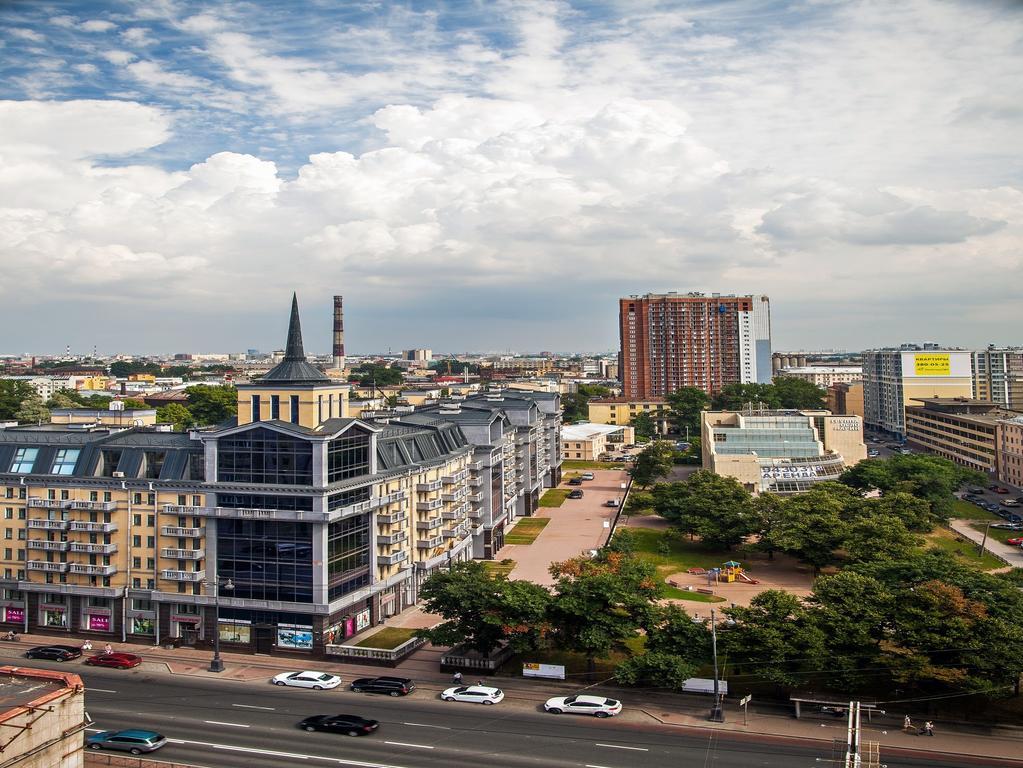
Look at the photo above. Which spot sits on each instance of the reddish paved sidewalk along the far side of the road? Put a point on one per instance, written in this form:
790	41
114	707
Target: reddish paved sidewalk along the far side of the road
1001	745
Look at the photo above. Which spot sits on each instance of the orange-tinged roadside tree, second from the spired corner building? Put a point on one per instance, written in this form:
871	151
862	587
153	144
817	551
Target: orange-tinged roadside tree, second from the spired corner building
601	603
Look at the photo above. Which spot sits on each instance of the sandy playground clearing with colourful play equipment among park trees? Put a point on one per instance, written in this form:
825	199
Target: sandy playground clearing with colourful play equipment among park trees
739	584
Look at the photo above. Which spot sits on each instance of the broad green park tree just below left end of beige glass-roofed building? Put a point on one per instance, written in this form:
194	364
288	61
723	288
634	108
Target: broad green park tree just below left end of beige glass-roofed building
715	508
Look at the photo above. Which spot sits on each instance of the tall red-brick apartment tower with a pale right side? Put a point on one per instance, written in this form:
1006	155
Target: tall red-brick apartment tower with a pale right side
671	341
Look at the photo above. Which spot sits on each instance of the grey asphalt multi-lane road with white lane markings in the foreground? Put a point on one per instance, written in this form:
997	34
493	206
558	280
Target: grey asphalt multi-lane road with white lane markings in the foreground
231	725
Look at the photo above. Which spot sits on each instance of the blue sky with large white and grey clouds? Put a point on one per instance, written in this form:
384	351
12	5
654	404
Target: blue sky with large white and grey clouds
495	175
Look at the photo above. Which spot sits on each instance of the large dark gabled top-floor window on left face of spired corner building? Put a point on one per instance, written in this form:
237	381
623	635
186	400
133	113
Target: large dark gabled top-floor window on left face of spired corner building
265	457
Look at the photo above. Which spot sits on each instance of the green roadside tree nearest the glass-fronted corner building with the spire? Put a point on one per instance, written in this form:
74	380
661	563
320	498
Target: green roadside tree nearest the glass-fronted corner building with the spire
483	611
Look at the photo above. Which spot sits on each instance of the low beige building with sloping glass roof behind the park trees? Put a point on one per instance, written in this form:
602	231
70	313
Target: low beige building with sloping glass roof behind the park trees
783	453
